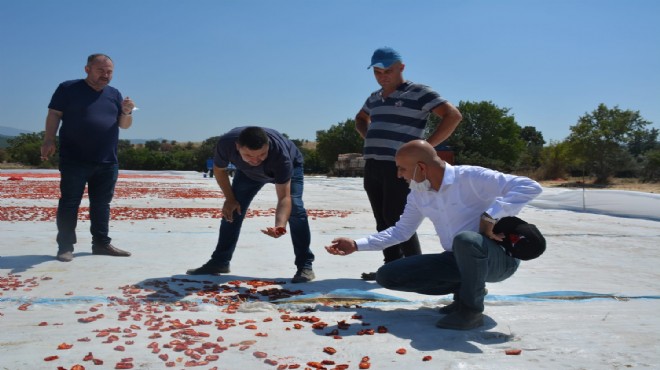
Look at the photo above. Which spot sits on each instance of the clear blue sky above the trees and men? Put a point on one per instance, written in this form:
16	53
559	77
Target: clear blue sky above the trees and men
199	68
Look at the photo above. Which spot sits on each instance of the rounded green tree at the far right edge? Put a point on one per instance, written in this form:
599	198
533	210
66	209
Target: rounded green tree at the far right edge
600	140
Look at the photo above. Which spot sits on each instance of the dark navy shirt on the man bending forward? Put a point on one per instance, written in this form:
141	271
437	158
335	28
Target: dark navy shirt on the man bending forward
283	156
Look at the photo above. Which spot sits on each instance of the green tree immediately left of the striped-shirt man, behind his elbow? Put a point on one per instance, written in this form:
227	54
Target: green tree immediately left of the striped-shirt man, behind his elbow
340	138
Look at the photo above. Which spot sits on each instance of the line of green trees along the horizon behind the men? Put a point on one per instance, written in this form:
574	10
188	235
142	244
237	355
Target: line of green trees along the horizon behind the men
605	143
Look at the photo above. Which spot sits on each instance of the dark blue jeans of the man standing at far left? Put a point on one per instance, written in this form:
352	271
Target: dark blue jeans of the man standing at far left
100	179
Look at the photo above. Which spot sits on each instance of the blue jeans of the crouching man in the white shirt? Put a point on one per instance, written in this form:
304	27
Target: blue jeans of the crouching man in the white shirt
475	260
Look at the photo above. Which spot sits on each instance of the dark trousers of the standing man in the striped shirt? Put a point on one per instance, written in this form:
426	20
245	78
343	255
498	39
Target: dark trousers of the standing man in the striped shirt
387	194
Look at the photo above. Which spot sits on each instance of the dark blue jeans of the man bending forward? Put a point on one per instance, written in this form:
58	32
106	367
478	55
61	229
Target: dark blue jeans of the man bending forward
245	189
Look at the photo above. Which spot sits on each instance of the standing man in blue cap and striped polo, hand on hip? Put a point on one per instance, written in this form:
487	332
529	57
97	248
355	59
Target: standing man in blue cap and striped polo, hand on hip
396	114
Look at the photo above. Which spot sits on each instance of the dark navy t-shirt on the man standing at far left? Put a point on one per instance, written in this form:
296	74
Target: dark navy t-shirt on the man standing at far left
90	121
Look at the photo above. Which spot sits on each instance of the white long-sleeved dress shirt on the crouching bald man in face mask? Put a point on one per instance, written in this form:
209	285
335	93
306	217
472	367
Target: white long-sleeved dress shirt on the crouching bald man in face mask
465	193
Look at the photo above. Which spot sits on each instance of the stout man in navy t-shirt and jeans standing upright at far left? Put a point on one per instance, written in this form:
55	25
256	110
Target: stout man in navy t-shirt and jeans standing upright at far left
91	113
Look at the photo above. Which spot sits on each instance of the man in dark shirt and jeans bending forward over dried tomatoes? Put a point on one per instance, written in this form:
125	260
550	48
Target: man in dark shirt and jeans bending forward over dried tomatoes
261	156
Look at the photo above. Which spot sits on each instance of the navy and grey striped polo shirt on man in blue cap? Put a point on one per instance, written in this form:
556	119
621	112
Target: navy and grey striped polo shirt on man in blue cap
397	119
